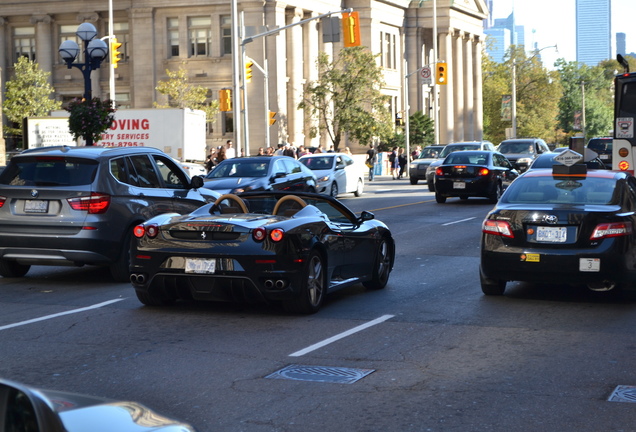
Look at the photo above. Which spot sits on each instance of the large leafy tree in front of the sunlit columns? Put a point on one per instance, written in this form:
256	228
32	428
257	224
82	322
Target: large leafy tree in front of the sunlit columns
347	98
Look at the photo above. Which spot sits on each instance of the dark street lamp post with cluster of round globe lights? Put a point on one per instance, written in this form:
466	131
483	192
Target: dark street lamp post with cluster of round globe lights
95	51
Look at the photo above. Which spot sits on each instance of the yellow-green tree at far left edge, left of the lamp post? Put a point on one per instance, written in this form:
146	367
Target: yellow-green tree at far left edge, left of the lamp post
28	94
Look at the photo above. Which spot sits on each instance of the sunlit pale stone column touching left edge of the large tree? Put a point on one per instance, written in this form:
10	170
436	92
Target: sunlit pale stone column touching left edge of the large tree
295	73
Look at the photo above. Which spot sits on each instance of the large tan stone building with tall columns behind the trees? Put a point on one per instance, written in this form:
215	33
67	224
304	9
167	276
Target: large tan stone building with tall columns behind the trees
162	35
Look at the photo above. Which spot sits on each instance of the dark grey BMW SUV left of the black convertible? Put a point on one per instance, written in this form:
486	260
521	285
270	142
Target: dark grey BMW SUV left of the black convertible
77	205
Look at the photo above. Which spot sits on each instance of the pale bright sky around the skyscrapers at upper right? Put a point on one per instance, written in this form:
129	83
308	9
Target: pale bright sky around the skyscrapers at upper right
553	22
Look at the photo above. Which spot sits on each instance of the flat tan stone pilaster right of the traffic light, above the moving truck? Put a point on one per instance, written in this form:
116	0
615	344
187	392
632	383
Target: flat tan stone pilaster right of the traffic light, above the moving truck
142	73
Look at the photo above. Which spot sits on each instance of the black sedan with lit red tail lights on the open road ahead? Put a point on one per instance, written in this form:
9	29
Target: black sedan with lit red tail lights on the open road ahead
473	174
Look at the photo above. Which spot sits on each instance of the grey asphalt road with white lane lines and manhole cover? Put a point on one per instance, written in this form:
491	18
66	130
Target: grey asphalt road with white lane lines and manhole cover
429	352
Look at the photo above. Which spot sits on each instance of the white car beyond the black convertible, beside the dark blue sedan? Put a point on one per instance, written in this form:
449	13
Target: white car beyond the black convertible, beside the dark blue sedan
336	173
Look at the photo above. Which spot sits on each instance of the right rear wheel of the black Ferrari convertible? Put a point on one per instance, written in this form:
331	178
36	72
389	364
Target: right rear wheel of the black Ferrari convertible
313	288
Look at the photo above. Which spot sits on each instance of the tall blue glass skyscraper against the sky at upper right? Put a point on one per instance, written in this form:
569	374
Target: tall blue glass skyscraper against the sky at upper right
593	31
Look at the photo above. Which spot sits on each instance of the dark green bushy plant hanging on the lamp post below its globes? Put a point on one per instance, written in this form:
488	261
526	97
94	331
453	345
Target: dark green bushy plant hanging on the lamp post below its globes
90	119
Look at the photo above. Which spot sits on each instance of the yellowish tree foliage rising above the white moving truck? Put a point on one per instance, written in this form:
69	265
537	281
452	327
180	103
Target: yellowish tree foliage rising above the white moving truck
182	94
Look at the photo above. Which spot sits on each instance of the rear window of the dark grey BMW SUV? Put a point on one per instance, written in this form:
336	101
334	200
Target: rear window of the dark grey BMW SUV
49	171
